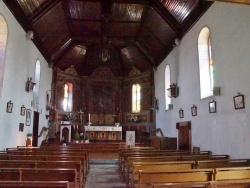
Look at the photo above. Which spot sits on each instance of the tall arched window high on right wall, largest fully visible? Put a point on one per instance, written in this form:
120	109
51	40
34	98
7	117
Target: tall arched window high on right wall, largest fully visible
205	64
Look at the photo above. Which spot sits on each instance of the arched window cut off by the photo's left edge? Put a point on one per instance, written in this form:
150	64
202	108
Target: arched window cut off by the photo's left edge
3	42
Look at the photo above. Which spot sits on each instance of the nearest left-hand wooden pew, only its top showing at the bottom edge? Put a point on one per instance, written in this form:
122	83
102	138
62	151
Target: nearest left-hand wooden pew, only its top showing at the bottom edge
34	184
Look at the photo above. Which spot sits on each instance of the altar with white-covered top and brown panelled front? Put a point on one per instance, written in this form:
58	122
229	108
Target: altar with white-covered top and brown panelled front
104	133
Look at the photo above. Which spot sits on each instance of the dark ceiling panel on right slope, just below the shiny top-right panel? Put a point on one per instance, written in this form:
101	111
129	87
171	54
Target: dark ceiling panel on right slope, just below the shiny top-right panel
159	28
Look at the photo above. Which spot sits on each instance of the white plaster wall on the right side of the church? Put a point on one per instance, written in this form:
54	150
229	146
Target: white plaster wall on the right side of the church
228	130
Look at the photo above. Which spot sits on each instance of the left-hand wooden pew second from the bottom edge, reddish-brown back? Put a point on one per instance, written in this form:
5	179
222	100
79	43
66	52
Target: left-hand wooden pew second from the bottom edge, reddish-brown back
38	174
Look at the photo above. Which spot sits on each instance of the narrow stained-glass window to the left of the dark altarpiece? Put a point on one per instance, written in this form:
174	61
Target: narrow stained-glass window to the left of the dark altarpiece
67	100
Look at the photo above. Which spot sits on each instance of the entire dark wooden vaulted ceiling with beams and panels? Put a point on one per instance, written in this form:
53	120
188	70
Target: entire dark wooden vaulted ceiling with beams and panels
138	33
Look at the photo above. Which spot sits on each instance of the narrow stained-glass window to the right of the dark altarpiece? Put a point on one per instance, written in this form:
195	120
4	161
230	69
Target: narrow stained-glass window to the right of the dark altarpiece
136	98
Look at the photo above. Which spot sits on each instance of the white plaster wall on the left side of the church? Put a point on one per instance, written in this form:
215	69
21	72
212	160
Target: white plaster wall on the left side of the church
21	55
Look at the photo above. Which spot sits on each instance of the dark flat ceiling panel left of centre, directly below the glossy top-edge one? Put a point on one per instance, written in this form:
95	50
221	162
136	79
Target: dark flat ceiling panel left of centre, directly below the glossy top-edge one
85	28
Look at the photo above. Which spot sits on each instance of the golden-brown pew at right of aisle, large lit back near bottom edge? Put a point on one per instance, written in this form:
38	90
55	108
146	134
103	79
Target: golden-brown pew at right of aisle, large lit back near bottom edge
193	175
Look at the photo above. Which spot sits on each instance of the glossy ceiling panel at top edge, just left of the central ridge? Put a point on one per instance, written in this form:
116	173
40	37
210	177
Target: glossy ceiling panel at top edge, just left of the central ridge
86	10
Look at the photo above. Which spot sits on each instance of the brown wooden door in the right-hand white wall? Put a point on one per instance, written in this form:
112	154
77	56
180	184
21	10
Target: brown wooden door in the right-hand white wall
184	135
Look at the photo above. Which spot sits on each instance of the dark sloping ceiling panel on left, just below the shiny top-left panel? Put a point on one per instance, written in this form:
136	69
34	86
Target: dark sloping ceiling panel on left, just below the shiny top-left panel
48	24
